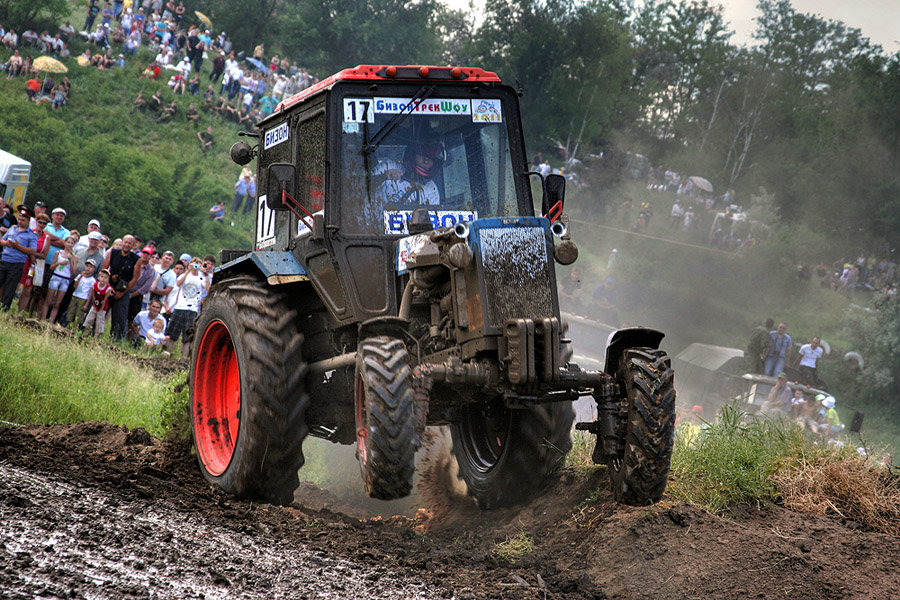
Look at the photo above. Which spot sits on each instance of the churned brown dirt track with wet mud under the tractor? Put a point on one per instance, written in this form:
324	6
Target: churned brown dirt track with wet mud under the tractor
94	511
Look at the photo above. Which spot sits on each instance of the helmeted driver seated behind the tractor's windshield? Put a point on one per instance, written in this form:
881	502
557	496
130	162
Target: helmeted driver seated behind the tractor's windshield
415	183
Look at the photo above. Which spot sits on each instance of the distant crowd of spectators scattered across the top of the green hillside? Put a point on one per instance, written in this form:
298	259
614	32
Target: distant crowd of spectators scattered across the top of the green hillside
238	87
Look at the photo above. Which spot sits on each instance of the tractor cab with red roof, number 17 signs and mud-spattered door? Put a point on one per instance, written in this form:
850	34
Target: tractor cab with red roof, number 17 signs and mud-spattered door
343	165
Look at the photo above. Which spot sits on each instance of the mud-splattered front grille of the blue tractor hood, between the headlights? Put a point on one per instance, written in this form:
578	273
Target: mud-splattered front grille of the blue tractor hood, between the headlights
517	276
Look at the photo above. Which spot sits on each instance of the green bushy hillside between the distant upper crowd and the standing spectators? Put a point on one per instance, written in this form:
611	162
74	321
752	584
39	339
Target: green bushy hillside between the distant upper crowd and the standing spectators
99	143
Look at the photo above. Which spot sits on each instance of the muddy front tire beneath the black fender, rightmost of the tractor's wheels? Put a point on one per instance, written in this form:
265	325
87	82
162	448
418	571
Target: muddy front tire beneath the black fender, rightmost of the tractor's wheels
638	474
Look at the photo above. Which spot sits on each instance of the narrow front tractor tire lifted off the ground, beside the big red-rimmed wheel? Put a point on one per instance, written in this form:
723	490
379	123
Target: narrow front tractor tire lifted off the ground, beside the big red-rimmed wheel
385	418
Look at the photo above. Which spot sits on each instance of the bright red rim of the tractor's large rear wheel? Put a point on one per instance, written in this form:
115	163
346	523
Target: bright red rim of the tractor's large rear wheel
217	398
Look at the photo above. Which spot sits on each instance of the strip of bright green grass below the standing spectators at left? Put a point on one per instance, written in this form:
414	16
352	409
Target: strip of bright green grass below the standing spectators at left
49	380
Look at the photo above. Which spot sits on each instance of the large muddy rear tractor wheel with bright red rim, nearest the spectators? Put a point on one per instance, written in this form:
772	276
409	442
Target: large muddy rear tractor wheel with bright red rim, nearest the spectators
248	399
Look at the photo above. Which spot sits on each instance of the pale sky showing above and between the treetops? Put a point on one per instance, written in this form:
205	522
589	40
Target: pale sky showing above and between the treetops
879	20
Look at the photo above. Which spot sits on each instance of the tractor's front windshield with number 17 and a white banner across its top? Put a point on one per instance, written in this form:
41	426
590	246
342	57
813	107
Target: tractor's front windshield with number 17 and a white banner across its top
450	155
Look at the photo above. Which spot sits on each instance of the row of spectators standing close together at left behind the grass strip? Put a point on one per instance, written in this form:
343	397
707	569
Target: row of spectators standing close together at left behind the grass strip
146	295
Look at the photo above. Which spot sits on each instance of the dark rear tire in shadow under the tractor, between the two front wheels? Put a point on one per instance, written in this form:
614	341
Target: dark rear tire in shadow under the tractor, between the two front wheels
505	456
